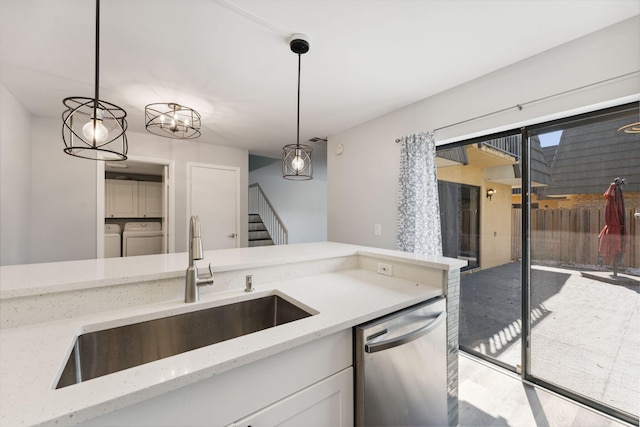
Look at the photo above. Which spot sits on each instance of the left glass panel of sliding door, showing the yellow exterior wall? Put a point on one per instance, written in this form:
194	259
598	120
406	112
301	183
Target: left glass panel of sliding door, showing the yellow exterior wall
475	189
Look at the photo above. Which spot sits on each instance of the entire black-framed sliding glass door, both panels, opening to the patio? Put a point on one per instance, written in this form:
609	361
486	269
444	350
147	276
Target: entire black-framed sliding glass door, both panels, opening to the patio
552	289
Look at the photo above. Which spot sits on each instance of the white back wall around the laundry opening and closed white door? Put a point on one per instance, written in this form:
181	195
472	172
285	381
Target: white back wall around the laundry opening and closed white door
62	191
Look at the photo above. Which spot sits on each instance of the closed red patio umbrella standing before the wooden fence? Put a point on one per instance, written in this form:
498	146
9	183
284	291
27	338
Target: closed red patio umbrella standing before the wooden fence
613	235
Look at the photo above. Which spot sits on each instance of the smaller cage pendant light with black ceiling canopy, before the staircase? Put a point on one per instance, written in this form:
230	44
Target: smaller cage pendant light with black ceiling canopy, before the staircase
296	158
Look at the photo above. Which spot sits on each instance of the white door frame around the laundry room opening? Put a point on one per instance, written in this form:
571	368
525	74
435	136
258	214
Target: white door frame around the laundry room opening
169	204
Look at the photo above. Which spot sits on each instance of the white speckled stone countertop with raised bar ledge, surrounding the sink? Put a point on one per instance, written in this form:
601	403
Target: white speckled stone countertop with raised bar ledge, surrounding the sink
32	357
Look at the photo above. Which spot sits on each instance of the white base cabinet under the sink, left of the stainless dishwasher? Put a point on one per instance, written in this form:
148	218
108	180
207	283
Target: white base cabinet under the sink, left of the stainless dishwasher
308	385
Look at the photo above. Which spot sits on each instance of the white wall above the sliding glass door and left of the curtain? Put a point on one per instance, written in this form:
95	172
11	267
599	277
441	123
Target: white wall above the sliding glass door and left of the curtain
362	182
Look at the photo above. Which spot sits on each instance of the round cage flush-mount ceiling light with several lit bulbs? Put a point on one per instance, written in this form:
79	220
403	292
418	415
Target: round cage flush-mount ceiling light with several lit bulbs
172	120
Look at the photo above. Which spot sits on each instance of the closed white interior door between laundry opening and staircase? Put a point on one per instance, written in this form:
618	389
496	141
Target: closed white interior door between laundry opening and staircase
215	197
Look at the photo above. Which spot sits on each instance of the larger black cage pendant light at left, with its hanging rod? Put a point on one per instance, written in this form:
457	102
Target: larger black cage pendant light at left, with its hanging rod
94	129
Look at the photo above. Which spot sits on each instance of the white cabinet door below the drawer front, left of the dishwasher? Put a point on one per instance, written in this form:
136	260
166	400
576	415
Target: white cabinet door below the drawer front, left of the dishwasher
326	403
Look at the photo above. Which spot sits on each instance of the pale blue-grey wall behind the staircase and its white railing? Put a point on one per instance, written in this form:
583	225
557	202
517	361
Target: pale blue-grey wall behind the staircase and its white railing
302	205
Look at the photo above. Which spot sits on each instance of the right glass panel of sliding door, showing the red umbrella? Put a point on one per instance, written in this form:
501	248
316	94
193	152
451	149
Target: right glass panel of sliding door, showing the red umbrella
585	262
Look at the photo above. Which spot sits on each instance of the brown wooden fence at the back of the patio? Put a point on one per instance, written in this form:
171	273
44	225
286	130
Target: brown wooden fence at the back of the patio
570	236
